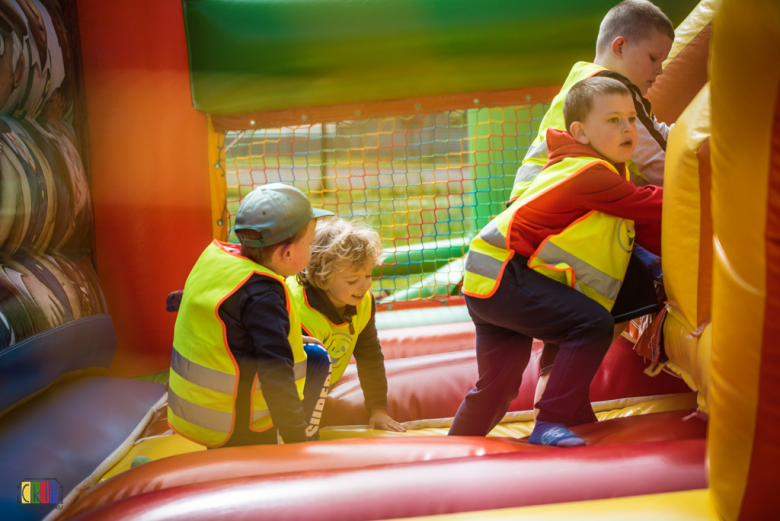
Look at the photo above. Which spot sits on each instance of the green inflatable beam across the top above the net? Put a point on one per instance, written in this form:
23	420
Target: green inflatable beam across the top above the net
261	55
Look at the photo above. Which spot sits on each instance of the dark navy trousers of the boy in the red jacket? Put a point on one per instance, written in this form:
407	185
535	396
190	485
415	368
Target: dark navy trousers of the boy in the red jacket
525	306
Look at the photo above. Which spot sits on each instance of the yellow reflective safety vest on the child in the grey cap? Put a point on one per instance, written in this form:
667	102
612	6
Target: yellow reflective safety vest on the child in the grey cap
204	374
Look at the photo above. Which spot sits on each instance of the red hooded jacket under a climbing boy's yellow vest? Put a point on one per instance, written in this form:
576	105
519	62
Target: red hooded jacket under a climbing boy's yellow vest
595	188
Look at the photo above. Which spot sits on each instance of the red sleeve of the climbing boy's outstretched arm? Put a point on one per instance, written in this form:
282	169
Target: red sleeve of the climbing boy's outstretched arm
598	188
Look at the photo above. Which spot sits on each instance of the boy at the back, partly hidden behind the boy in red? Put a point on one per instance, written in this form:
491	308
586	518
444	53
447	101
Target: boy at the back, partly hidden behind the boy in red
634	40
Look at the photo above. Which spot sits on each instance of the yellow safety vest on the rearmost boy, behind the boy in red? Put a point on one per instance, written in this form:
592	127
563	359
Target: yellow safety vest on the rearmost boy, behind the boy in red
537	154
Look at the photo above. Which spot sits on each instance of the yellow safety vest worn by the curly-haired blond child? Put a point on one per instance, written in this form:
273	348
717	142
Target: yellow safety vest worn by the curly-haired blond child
339	339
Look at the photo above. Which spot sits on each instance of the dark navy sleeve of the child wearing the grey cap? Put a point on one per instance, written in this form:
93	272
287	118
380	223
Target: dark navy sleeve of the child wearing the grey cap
266	320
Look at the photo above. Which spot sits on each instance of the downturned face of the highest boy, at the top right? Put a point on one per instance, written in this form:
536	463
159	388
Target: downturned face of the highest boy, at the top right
641	61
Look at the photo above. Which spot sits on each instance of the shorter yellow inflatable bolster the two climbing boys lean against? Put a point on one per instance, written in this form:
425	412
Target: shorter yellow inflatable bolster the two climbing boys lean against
687	246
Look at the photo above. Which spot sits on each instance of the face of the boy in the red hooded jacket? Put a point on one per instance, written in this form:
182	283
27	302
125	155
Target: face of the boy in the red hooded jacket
610	127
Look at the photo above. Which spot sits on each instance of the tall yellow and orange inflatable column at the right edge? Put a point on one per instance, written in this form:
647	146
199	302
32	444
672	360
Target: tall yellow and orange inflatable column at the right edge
744	437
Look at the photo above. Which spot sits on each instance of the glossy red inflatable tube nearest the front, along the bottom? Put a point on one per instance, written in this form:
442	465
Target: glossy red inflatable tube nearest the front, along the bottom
429	488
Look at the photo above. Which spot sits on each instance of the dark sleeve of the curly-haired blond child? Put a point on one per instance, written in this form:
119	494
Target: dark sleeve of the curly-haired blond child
371	365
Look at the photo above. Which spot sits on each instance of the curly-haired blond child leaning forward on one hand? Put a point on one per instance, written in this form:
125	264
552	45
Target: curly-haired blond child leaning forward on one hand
335	303
